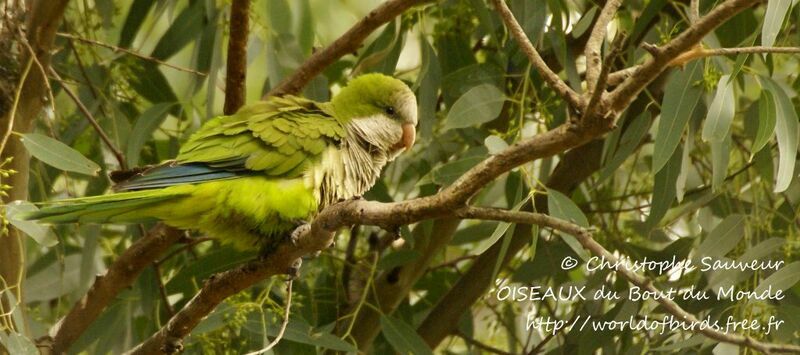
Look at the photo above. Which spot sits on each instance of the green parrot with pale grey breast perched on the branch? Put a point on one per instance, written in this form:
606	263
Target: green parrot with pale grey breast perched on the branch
251	178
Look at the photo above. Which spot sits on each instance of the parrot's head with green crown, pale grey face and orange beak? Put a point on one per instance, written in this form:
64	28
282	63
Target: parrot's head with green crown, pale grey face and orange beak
381	110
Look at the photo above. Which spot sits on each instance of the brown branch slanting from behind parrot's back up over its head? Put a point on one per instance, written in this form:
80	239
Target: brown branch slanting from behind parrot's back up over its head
349	42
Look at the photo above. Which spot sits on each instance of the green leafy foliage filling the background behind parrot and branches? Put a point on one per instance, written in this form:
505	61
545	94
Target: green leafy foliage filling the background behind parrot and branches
477	94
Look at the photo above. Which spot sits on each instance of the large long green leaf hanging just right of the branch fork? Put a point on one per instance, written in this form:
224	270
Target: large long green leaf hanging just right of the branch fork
680	99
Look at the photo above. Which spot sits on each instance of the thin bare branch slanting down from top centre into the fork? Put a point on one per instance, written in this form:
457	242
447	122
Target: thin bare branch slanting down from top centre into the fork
525	44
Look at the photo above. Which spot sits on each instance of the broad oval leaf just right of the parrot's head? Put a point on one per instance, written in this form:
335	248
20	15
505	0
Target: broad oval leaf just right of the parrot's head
479	105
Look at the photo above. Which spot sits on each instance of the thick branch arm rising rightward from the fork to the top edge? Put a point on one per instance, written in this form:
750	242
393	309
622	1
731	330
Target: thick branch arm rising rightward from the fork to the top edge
622	96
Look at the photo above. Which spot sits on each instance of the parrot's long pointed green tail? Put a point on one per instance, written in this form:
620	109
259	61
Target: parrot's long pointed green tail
125	207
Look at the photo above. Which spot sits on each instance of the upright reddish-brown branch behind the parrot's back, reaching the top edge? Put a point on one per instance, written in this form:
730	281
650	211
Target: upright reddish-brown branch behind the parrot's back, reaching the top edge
237	56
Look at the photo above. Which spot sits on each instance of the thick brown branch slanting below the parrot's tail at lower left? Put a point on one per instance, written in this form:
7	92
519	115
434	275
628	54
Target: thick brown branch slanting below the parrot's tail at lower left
119	276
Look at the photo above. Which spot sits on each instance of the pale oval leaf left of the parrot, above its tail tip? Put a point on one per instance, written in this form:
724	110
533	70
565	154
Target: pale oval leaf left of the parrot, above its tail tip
58	155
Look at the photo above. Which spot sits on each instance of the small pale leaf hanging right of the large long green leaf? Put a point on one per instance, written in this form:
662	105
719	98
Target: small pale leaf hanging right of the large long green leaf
720	112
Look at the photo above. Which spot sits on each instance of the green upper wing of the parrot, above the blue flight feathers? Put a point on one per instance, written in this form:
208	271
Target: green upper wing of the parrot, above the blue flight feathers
278	137
